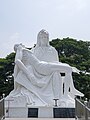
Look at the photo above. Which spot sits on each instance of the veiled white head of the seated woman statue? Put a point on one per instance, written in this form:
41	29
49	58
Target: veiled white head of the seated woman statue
43	38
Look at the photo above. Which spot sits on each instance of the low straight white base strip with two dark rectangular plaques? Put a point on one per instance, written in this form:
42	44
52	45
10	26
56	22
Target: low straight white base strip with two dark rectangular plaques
39	112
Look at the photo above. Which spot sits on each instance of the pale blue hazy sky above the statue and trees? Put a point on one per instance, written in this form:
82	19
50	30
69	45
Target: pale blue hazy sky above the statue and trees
21	20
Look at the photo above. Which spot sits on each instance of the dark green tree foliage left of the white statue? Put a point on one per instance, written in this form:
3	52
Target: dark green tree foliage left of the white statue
6	74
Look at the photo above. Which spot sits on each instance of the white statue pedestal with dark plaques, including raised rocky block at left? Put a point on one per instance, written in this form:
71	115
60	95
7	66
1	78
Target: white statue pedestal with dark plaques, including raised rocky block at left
17	108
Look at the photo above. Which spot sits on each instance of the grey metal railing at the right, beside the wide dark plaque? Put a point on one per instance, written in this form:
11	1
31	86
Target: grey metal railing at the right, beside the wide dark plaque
82	112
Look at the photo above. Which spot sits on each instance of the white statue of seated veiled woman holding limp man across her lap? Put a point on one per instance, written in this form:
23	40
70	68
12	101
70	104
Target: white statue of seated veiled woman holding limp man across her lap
37	74
